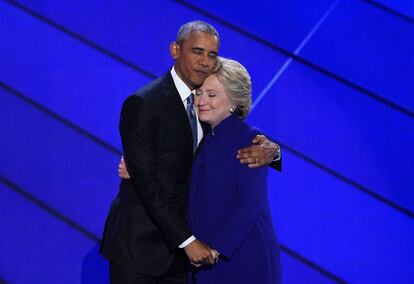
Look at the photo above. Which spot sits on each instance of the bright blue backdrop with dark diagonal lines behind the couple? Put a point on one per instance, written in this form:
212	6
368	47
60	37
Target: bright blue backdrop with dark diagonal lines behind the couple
333	83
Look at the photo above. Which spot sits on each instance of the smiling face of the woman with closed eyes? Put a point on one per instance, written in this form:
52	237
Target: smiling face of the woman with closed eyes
211	101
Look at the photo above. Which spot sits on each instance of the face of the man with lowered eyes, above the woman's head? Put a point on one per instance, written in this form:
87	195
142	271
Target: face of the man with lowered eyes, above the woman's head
195	58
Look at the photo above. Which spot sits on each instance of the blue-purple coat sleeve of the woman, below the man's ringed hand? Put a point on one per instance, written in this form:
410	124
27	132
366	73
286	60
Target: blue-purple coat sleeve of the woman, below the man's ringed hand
252	198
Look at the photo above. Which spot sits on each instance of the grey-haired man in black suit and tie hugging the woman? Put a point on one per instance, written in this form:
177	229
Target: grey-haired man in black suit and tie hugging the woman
146	238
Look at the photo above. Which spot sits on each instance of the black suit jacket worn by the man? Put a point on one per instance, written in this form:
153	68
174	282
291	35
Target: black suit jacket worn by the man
147	220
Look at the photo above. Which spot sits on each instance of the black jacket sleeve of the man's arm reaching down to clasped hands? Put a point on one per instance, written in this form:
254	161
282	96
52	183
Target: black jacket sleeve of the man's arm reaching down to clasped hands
139	128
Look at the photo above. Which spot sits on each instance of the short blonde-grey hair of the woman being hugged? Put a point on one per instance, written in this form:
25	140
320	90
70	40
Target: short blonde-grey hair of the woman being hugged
237	84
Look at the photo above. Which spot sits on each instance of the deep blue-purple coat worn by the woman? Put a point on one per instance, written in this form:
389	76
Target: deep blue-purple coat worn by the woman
229	210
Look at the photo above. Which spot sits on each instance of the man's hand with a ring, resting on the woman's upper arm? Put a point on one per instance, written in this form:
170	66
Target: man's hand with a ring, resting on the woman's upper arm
261	153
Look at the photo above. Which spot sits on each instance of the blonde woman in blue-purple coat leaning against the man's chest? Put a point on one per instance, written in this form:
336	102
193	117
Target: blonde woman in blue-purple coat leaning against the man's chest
228	203
